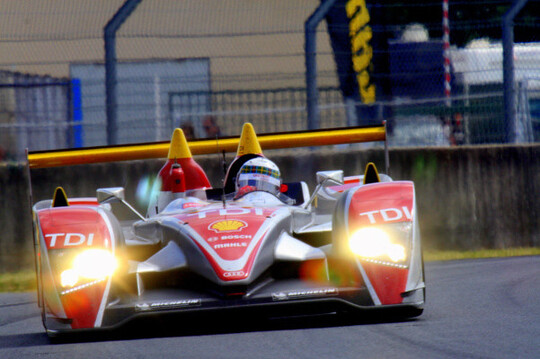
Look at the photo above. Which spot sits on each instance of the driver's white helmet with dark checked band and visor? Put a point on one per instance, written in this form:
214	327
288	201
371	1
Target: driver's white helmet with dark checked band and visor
259	174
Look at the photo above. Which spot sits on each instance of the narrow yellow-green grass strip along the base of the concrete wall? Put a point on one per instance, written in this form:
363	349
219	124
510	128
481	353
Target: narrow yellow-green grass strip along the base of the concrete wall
26	280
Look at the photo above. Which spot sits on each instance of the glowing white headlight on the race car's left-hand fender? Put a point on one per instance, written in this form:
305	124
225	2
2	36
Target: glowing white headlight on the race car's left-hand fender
90	265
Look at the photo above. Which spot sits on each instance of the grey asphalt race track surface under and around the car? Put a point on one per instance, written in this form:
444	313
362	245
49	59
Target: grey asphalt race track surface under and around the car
486	308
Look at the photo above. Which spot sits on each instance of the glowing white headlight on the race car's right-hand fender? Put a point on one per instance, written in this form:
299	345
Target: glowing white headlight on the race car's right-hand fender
375	243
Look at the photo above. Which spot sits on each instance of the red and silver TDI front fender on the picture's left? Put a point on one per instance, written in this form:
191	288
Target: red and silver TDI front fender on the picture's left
63	233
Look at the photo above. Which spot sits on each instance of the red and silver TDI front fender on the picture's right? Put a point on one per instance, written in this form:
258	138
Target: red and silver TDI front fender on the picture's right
390	208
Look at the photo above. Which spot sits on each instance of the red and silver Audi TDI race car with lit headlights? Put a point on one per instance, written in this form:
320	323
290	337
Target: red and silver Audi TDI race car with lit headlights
351	245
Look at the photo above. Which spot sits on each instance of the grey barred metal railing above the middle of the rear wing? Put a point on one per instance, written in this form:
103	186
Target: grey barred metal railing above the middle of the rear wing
270	110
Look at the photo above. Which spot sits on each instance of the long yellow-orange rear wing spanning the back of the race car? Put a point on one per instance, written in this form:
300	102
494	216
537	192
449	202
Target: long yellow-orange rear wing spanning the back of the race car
334	136
